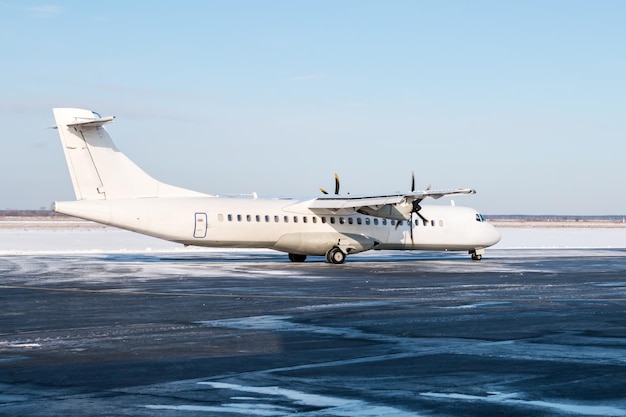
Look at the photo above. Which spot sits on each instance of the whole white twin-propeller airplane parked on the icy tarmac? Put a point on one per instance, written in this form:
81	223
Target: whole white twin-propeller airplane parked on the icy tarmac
112	190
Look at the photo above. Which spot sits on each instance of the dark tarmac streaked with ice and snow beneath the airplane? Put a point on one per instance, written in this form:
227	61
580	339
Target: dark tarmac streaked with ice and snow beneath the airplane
520	333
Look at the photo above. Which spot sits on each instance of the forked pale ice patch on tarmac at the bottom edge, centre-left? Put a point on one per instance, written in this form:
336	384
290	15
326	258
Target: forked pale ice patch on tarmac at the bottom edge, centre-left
299	403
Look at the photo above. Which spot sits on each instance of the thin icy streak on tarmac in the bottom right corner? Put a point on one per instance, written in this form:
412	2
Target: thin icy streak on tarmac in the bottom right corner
571	409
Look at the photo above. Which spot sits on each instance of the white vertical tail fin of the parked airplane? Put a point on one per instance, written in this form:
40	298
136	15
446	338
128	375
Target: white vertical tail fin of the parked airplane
98	169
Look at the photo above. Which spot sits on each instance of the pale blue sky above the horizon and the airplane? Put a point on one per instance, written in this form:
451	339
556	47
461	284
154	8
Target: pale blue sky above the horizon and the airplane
525	101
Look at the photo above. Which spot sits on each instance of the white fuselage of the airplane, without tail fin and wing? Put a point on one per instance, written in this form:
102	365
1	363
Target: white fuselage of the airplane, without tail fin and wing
251	223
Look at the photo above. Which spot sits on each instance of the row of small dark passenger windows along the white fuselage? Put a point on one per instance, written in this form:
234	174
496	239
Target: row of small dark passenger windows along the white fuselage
323	219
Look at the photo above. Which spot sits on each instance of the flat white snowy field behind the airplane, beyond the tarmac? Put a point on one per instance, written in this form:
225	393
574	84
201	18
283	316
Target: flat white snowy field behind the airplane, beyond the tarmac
28	237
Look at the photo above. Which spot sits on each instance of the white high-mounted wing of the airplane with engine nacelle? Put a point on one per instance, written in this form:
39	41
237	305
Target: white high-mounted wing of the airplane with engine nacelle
392	206
